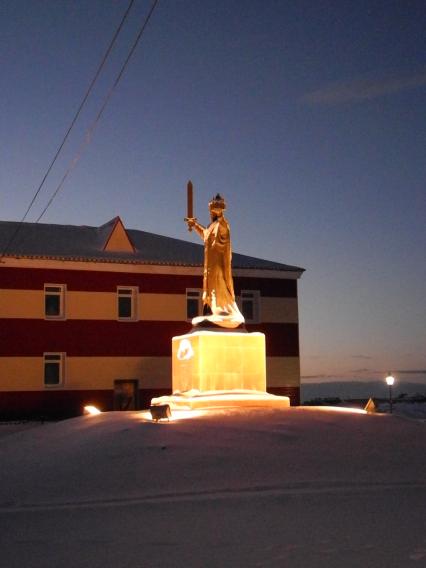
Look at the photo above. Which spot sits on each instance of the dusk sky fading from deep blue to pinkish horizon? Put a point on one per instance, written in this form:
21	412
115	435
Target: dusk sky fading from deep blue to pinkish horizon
309	117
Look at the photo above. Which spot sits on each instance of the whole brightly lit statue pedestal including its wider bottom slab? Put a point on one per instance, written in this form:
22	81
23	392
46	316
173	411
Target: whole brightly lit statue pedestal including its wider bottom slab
219	369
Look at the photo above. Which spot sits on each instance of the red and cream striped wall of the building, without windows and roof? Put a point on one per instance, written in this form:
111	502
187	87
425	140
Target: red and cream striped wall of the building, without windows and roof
99	348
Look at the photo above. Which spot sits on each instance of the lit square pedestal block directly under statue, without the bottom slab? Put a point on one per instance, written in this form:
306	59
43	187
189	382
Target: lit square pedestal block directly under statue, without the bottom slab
219	361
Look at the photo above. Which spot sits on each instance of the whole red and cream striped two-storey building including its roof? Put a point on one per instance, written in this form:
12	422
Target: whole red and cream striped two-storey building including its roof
87	315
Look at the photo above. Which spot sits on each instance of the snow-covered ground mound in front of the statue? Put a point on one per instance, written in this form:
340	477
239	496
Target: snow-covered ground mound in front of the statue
297	487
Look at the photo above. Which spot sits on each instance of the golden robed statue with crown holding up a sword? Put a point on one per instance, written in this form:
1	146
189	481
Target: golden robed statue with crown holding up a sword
219	306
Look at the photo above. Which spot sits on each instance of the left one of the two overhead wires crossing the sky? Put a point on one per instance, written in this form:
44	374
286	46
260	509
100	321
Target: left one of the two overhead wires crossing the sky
74	120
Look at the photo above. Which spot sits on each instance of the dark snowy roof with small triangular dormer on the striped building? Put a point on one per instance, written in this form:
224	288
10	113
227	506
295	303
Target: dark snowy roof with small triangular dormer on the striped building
111	242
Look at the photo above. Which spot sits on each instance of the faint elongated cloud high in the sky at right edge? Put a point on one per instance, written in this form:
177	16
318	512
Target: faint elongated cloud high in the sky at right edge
358	90
